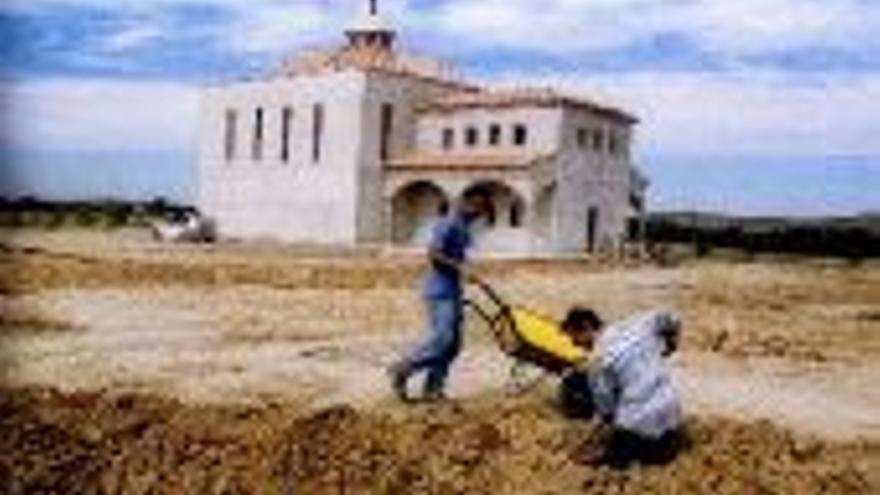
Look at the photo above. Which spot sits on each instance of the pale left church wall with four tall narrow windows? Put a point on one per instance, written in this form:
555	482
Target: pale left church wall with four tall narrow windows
296	200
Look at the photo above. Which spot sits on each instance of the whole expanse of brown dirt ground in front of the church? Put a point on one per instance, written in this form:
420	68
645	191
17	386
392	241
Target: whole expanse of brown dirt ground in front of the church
258	368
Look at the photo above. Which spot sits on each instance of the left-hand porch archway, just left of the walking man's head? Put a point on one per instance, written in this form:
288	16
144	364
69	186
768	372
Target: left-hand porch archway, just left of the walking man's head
414	207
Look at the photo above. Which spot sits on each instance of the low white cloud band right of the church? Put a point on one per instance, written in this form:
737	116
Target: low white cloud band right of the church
739	113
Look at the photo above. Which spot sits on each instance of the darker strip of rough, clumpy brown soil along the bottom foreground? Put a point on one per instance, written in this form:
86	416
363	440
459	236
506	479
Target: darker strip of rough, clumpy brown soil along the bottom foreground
98	443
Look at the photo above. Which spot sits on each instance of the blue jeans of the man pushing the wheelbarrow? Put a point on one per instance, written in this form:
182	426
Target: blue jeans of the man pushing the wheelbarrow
442	345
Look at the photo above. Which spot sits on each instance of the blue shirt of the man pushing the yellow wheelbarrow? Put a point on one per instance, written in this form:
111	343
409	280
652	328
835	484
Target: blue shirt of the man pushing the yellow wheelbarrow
451	238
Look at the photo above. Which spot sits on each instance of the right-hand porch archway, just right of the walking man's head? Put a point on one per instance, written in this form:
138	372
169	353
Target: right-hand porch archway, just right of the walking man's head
507	227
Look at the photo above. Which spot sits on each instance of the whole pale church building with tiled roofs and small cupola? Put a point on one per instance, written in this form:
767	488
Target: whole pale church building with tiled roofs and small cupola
365	144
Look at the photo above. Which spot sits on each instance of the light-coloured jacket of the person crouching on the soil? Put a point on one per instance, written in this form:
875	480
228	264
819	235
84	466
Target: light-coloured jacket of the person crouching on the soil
631	384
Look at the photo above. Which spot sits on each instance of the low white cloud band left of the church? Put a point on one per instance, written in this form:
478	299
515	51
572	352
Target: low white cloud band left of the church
99	114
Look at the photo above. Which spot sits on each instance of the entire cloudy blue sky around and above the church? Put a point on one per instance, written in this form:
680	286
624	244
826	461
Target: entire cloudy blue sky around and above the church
747	106
